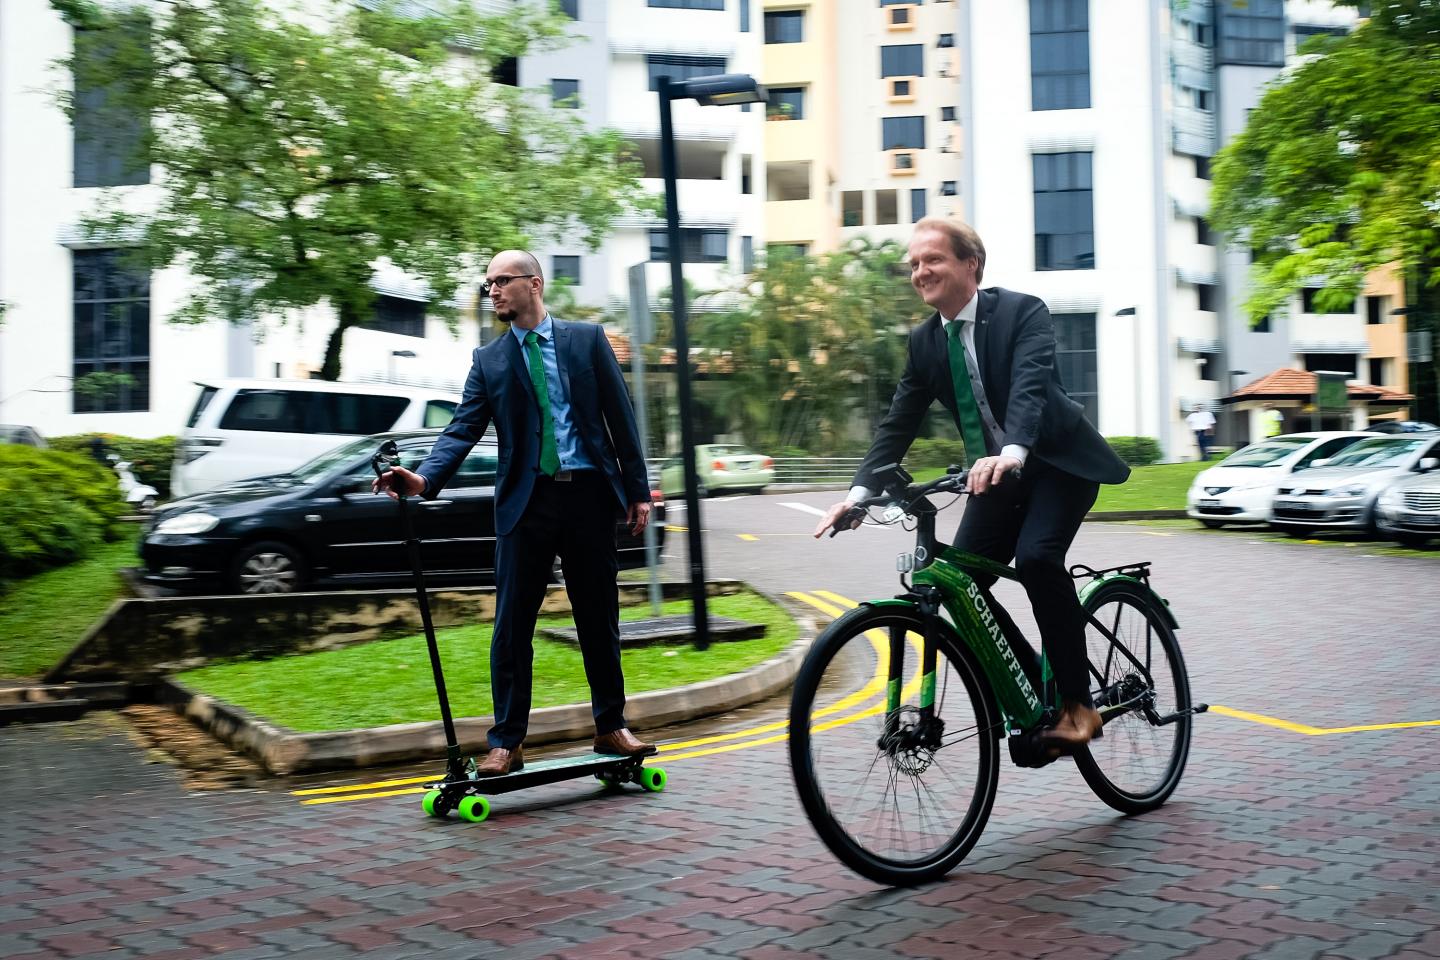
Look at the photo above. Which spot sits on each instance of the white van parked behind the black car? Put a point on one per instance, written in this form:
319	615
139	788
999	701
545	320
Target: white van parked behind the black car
256	428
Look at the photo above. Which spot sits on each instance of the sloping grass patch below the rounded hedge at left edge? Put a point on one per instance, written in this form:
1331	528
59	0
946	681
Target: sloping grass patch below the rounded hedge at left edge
44	617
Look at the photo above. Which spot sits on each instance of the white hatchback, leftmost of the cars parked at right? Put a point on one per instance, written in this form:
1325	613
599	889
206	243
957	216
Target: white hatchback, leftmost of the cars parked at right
1241	489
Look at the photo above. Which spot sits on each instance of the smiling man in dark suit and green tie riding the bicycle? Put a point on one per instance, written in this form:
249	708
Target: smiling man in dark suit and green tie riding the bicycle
990	359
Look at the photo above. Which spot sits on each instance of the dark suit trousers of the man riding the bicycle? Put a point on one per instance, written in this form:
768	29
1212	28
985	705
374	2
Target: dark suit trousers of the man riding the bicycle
1035	523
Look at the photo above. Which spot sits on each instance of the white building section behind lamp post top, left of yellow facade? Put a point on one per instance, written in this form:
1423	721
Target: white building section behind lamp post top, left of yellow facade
610	74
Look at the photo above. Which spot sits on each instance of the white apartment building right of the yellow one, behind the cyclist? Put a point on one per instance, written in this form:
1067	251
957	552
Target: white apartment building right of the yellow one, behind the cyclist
1089	130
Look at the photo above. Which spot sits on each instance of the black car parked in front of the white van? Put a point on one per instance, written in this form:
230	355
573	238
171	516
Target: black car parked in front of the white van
322	526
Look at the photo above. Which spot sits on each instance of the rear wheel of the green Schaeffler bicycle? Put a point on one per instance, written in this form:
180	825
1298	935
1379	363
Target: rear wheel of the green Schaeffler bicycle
1140	762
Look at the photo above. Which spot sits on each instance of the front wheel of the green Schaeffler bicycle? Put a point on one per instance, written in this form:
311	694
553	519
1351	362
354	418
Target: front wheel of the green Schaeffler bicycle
901	795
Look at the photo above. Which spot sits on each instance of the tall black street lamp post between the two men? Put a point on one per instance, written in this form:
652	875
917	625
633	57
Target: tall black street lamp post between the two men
721	90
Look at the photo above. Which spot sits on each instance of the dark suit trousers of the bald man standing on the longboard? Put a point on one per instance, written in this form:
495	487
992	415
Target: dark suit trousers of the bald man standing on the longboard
565	520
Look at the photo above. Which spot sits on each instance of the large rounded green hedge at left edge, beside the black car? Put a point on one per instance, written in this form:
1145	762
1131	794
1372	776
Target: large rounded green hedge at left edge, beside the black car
55	507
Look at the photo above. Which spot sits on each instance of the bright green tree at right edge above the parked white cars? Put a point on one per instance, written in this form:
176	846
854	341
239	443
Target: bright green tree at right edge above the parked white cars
1338	171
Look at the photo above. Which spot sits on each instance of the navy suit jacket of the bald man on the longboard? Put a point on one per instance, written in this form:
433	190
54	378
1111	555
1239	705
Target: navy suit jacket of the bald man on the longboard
499	391
